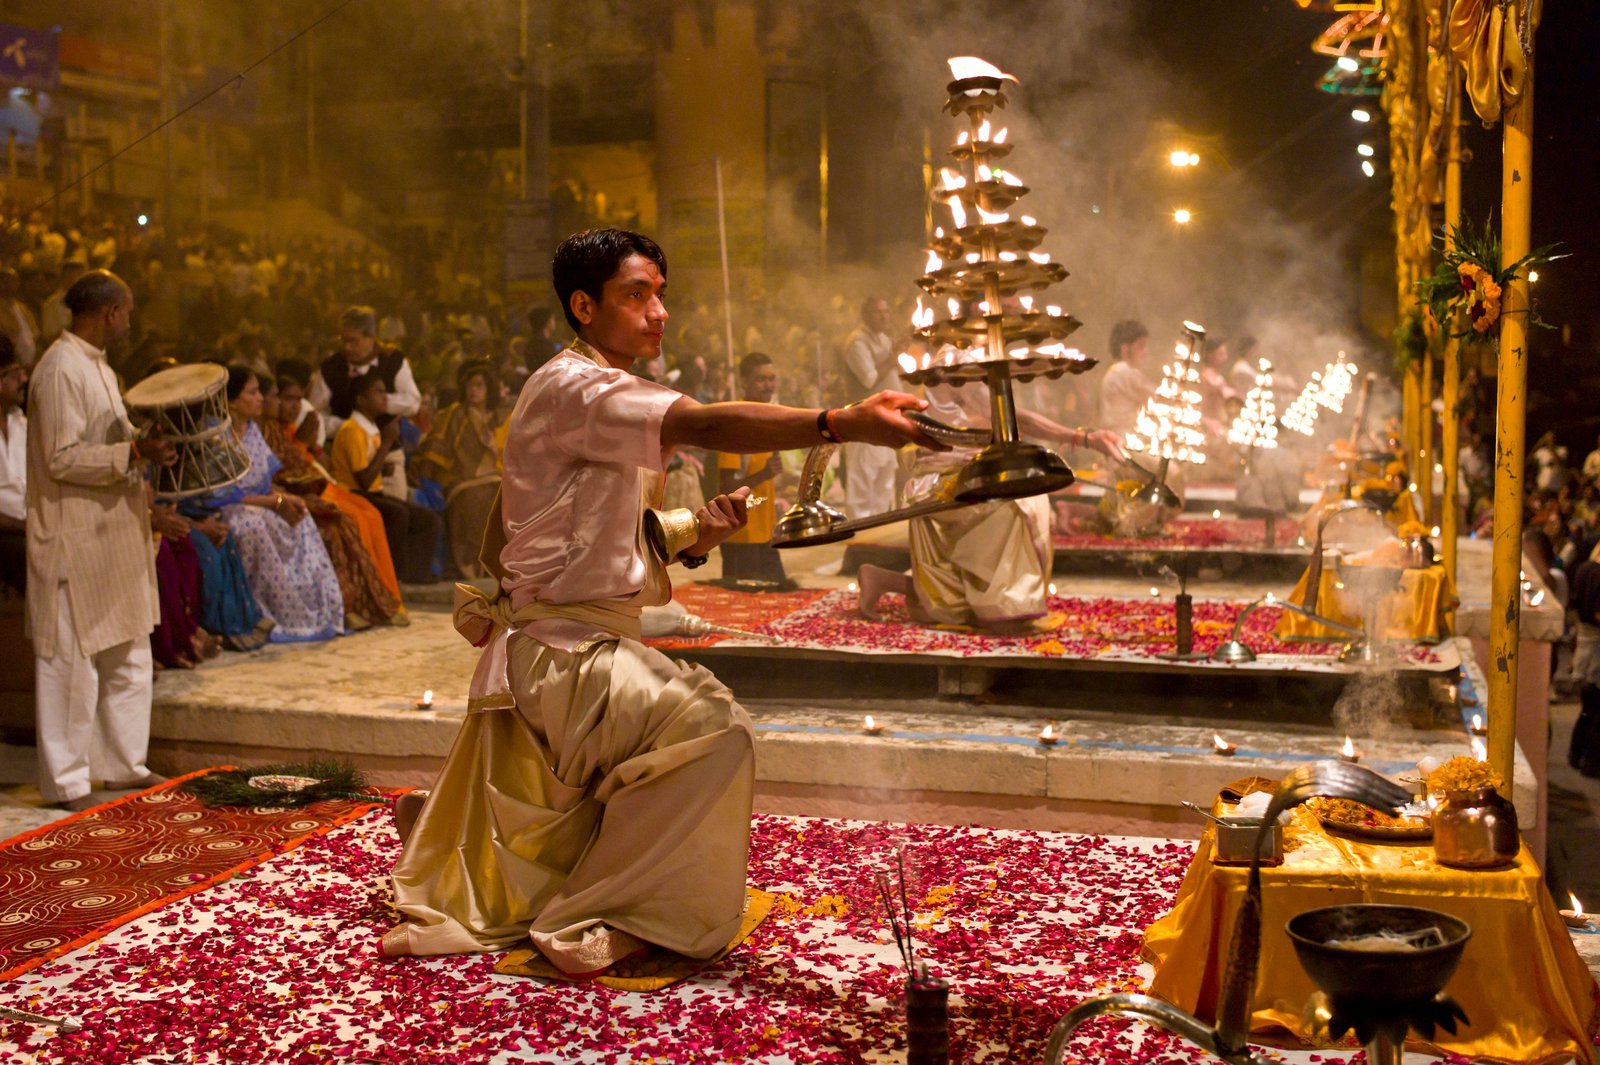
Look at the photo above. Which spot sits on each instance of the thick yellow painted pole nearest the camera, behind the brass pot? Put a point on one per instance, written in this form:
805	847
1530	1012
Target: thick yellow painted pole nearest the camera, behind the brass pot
1511	428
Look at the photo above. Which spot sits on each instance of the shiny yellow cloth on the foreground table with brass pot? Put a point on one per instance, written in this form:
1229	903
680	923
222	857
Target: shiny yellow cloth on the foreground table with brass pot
1526	991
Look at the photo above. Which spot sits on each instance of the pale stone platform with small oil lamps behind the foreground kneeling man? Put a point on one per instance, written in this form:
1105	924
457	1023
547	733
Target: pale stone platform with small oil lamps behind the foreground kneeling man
1134	744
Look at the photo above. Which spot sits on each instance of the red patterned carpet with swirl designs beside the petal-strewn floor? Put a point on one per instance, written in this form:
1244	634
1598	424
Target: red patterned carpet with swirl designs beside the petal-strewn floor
71	882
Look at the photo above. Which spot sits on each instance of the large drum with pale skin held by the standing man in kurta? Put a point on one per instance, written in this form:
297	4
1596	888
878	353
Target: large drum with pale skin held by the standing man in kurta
190	407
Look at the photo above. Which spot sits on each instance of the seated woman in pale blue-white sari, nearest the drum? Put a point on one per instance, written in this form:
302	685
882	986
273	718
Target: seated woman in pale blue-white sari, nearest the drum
282	552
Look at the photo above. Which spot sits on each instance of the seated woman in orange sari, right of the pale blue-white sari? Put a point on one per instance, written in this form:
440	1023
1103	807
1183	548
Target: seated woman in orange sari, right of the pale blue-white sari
351	529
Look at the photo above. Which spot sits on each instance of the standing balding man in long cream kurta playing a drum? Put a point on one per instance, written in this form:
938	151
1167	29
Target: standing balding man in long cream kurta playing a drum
92	596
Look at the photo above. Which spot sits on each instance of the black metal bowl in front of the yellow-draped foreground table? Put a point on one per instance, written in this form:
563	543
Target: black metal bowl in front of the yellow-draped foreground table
1370	976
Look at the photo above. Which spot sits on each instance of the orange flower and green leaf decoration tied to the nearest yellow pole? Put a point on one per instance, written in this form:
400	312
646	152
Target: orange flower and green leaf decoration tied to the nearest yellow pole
1471	282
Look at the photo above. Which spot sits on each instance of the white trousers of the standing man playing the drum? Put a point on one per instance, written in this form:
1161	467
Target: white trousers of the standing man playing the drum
90	709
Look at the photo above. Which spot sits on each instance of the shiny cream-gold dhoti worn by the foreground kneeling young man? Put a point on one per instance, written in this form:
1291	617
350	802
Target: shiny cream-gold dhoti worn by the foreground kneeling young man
601	789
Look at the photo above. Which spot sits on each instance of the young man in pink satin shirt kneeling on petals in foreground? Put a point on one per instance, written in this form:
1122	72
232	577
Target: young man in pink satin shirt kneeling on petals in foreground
598	799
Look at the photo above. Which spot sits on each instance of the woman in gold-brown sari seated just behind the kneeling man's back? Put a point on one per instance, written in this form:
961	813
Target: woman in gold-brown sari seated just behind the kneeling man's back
462	455
